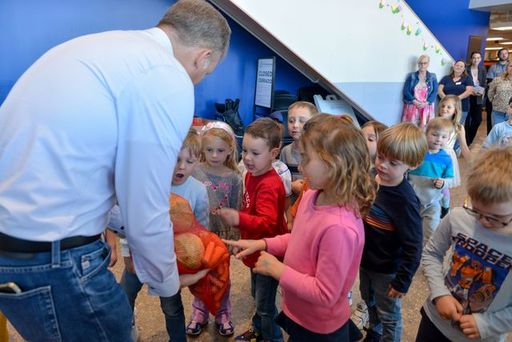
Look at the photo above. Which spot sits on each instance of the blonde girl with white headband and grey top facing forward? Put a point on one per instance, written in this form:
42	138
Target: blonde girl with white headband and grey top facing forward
219	173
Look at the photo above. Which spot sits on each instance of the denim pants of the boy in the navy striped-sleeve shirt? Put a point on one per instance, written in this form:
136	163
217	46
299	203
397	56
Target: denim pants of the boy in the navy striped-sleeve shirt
385	312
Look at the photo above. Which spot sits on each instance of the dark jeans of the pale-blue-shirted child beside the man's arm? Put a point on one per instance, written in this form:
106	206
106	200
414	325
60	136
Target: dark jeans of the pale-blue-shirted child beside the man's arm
172	307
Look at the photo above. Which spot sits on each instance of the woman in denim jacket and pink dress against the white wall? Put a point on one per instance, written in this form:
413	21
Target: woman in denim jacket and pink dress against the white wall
419	94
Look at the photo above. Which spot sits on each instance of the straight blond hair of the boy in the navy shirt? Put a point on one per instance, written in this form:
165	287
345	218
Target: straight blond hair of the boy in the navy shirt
404	142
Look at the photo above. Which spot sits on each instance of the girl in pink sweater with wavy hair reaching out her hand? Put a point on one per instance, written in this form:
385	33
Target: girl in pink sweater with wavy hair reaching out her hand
323	251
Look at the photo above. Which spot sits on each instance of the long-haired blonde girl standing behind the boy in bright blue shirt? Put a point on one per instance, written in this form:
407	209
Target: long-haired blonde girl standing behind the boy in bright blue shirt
450	108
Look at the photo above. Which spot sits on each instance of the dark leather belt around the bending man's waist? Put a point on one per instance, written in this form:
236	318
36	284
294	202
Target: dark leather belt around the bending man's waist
15	245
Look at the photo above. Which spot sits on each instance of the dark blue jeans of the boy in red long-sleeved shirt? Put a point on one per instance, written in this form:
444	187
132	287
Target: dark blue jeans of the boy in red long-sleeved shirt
263	290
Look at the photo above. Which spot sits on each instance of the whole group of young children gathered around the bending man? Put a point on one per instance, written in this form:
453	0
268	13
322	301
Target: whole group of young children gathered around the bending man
375	198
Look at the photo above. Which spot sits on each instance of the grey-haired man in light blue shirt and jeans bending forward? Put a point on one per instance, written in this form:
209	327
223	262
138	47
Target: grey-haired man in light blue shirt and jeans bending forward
97	119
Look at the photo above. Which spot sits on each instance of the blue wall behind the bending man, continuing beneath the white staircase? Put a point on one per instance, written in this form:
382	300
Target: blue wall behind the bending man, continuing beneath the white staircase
29	28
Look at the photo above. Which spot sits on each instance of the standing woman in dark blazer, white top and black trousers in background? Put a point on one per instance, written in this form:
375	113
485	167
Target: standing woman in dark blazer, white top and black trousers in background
478	75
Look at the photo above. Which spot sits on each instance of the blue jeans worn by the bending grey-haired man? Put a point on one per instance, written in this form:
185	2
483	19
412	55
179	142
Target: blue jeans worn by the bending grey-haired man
66	295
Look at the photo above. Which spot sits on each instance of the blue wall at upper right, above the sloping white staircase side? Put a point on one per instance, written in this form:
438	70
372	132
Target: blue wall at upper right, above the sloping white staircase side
452	22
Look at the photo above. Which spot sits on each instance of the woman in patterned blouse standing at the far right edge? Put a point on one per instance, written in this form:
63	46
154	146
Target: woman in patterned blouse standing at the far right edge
500	92
